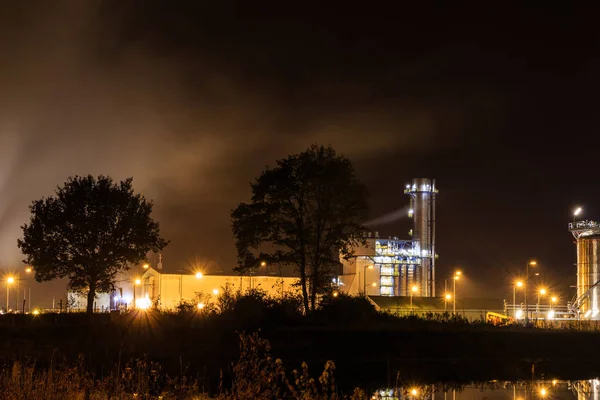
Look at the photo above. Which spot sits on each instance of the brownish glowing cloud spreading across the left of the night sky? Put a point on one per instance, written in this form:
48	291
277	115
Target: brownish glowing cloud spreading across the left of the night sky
91	89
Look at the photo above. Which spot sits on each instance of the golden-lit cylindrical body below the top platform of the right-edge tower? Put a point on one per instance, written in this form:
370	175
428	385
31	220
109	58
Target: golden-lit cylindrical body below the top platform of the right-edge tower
588	276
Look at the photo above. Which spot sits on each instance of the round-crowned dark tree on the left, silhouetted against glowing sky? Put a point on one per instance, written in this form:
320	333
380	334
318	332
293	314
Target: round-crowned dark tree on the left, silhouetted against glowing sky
88	232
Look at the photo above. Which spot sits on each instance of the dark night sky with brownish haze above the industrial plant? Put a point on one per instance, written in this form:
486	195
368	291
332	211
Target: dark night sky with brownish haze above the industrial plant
194	98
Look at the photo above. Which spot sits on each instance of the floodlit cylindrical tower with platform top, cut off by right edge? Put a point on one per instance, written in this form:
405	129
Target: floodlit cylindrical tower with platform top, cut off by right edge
587	234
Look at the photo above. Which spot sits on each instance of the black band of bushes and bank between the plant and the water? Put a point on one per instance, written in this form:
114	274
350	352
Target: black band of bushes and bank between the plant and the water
370	349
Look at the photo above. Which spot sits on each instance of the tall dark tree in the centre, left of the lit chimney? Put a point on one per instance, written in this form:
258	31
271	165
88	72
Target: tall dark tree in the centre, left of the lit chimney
304	212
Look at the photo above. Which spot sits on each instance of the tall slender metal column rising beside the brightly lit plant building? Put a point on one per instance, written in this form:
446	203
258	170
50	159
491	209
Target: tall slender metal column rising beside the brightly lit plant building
422	192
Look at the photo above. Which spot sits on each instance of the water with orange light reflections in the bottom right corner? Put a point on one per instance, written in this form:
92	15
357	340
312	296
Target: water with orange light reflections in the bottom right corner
495	390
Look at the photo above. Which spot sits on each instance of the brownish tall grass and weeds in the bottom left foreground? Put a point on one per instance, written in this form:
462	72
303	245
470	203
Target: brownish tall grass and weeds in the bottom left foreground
255	375
